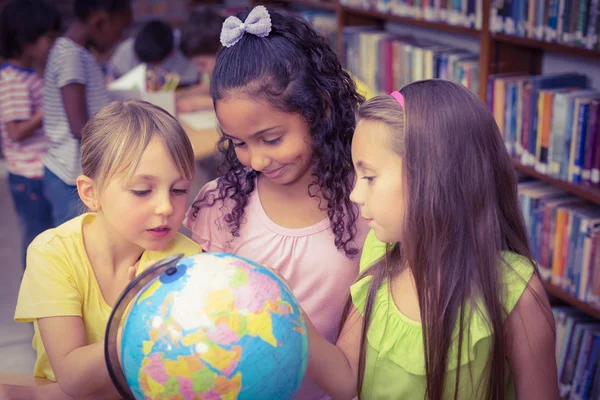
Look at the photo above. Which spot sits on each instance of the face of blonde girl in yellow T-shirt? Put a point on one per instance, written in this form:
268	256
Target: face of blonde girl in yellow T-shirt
148	209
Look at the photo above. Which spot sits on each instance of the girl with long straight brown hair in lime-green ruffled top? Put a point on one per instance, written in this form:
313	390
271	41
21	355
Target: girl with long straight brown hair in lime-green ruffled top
449	304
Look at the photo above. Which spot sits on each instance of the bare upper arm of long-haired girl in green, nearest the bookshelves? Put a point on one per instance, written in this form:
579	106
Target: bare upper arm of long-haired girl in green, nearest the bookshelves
531	351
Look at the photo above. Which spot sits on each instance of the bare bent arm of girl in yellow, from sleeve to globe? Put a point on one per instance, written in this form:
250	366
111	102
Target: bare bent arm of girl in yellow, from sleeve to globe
80	368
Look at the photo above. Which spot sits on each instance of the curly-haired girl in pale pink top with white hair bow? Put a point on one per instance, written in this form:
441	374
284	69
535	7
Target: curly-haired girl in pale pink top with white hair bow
286	111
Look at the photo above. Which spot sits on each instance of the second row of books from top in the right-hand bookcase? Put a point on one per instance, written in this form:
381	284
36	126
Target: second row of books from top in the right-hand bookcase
551	122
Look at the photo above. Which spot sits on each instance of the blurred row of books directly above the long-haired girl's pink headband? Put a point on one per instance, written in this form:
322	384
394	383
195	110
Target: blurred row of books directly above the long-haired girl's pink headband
386	62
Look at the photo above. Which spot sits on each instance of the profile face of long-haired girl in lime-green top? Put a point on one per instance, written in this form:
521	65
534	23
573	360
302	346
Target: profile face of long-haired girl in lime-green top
379	191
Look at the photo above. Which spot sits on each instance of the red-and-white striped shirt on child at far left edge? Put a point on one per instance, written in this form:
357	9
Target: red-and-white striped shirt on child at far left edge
21	96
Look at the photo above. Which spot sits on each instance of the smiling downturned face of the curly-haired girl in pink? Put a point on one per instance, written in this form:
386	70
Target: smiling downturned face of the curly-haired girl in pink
275	143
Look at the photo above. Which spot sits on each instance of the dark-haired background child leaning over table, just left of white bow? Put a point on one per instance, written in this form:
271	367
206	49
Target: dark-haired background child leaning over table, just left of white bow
200	44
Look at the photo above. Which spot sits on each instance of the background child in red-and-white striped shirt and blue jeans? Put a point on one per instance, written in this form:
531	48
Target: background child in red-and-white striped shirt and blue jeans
27	30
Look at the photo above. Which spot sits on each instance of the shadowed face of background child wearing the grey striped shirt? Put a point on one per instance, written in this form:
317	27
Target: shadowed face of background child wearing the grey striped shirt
106	30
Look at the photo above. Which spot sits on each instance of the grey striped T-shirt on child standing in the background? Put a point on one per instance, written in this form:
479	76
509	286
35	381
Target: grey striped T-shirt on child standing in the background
68	62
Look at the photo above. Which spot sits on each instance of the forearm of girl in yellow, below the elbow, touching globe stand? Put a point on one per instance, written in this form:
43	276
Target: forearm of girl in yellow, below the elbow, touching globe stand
85	374
